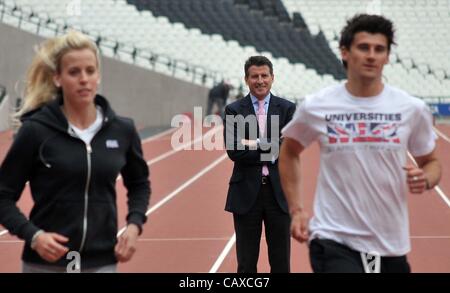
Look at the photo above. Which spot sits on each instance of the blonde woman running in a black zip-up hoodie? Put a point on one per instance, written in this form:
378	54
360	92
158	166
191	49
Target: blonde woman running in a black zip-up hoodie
71	146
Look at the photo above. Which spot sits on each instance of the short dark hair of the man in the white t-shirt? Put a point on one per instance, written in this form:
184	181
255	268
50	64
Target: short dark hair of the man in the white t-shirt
366	23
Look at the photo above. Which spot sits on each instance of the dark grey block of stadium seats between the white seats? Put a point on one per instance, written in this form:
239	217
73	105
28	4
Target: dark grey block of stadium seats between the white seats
251	23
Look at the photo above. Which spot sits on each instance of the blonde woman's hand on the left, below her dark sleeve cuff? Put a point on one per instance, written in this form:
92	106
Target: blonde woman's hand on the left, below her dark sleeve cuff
49	246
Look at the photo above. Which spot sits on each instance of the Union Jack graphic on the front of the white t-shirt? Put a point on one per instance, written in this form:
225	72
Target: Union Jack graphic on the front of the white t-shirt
358	132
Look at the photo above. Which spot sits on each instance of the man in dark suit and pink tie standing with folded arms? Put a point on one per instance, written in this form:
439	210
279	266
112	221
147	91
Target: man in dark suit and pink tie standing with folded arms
252	136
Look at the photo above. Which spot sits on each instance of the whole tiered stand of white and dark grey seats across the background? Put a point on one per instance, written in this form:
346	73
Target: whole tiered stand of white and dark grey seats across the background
212	39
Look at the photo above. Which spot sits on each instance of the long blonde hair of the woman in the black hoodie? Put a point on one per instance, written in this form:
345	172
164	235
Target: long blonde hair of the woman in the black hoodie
40	88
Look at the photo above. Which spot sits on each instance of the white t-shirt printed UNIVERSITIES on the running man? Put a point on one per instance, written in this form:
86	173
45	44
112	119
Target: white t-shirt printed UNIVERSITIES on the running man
361	191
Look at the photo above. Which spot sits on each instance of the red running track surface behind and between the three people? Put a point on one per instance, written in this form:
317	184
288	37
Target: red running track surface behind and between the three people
189	231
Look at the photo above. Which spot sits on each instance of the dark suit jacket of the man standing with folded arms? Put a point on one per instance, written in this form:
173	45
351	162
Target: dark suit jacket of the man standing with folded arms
245	181
